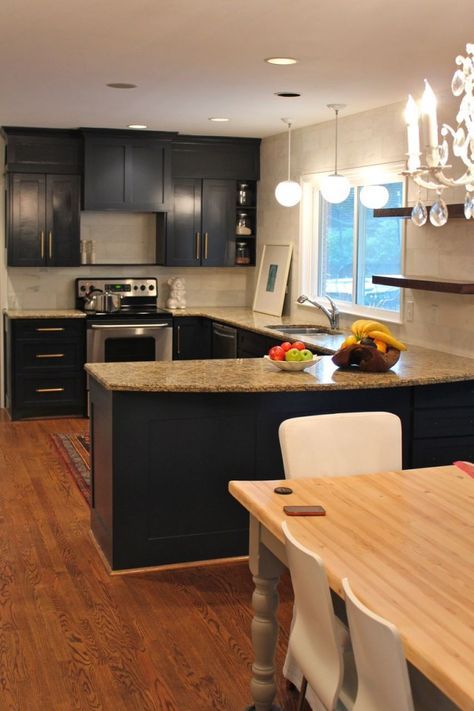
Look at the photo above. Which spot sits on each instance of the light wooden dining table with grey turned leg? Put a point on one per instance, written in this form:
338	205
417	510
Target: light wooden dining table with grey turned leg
405	540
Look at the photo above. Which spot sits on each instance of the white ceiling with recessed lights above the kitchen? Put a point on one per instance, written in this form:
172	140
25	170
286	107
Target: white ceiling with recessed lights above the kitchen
192	59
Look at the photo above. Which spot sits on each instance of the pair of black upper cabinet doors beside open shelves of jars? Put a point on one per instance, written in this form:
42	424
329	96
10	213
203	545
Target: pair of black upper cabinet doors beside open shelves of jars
201	224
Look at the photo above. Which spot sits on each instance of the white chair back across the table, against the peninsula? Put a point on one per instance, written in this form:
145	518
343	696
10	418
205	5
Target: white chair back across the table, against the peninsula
341	444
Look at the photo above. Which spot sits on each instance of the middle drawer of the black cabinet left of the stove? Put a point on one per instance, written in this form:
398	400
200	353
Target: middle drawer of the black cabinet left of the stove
55	355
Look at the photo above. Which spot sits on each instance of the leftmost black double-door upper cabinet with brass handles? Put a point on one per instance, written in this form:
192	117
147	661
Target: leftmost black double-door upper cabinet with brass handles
43	220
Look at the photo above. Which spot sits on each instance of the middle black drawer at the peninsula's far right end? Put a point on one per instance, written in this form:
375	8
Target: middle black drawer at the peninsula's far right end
444	422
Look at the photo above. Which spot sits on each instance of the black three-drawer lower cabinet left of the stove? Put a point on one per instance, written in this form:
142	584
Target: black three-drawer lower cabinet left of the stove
45	367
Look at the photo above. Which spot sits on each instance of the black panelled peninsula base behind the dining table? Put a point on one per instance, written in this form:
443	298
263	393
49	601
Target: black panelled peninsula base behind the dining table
161	464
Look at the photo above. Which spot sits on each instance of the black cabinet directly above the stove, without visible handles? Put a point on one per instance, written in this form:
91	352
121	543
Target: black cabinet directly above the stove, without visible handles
126	172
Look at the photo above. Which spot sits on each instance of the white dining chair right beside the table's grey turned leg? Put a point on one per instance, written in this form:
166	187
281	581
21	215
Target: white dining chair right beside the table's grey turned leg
318	640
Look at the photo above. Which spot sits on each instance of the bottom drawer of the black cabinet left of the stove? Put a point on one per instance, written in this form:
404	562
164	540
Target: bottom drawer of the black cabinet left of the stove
44	394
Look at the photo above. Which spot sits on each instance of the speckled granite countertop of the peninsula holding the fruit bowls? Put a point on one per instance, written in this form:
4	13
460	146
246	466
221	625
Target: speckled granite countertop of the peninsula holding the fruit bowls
417	366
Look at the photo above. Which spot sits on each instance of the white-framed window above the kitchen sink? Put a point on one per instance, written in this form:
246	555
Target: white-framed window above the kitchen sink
345	245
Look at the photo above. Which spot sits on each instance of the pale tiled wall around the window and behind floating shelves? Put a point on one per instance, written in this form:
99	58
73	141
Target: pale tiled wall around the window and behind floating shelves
441	321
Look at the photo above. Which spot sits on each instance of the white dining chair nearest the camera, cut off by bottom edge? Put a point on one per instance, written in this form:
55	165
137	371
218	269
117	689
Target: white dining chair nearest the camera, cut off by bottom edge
382	673
